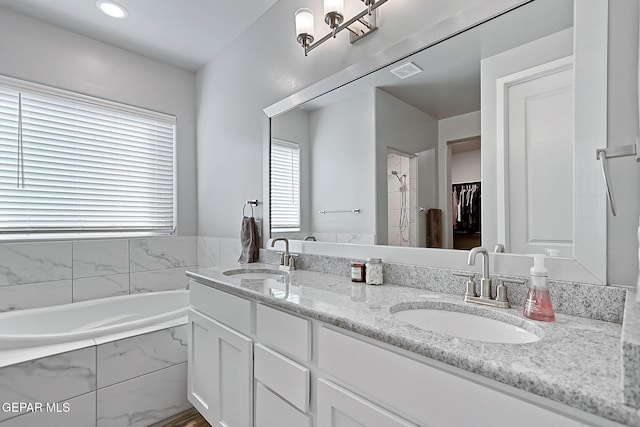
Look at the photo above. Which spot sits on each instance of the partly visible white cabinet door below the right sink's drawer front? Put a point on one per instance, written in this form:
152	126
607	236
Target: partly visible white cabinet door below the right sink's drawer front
338	407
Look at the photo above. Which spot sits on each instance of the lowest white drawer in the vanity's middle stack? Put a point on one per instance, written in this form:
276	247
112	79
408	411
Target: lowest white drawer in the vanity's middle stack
272	411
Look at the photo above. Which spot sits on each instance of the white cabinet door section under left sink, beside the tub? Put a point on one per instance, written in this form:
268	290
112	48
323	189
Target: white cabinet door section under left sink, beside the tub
220	378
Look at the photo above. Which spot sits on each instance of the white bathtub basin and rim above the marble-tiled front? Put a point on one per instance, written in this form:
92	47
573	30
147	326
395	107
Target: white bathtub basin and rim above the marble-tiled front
91	319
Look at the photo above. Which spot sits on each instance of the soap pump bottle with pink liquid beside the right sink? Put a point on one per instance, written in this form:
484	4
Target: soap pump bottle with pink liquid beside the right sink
538	304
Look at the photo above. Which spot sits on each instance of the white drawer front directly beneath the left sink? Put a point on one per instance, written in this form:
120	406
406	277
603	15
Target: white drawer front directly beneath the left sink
231	310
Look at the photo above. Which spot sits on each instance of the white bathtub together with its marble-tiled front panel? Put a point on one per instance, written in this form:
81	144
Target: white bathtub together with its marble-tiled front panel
107	359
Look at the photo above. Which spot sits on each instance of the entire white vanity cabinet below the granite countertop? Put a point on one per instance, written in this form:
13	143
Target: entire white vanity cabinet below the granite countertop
252	365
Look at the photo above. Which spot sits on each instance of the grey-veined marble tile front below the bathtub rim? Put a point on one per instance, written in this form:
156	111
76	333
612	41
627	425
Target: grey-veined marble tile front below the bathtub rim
135	381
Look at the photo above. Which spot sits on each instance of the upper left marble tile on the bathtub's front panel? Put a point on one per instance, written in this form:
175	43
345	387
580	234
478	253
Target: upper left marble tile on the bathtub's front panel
49	379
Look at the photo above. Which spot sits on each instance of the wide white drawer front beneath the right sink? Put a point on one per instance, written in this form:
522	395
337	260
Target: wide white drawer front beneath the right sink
431	395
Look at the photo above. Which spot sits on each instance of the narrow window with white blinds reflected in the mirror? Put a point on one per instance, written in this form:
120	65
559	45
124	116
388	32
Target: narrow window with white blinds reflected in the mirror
285	185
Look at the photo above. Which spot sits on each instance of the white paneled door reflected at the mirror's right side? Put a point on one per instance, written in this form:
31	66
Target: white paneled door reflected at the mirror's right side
536	138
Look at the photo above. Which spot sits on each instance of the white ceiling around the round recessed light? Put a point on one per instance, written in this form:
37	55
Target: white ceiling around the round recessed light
187	34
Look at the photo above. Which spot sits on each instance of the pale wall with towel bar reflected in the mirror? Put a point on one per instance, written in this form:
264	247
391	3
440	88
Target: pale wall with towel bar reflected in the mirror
342	167
